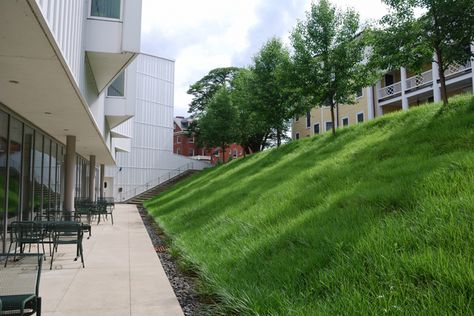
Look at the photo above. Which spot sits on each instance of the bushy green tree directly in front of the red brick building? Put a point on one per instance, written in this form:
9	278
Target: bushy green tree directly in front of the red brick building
217	125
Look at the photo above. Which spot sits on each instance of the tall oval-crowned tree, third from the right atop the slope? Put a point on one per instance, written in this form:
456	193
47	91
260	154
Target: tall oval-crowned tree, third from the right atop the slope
274	97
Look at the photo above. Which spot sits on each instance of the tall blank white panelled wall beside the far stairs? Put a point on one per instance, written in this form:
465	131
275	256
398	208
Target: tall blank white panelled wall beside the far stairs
151	153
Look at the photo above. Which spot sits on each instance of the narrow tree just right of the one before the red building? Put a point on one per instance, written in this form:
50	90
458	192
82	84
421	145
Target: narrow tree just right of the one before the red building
253	130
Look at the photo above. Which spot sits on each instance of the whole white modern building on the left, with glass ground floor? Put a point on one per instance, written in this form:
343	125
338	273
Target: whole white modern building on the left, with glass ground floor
70	85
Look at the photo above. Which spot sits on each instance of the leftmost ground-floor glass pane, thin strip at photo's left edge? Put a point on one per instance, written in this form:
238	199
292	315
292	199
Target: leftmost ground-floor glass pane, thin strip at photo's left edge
3	175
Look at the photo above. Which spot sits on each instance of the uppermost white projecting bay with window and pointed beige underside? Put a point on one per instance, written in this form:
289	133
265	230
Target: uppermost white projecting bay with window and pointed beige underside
112	38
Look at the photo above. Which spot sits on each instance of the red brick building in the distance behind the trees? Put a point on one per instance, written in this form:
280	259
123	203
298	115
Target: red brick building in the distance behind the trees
187	146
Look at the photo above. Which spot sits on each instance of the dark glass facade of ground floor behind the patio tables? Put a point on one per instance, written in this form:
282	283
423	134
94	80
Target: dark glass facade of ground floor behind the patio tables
32	173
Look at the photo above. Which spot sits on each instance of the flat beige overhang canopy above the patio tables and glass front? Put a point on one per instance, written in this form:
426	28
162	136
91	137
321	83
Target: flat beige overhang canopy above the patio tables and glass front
36	82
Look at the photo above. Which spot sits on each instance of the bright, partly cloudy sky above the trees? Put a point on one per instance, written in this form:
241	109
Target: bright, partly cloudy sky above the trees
206	34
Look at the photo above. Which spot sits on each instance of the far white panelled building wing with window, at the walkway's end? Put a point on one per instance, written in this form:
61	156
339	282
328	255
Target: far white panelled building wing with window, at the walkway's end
145	155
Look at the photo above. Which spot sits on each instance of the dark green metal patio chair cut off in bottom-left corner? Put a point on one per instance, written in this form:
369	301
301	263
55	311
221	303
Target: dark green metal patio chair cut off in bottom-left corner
19	285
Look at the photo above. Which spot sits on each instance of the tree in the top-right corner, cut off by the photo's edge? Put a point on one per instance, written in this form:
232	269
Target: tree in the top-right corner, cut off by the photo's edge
444	31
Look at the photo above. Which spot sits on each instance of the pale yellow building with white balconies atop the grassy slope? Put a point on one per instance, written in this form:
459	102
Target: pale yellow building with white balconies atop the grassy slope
397	90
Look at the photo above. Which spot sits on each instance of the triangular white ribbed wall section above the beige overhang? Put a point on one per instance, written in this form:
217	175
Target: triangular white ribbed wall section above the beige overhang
66	22
